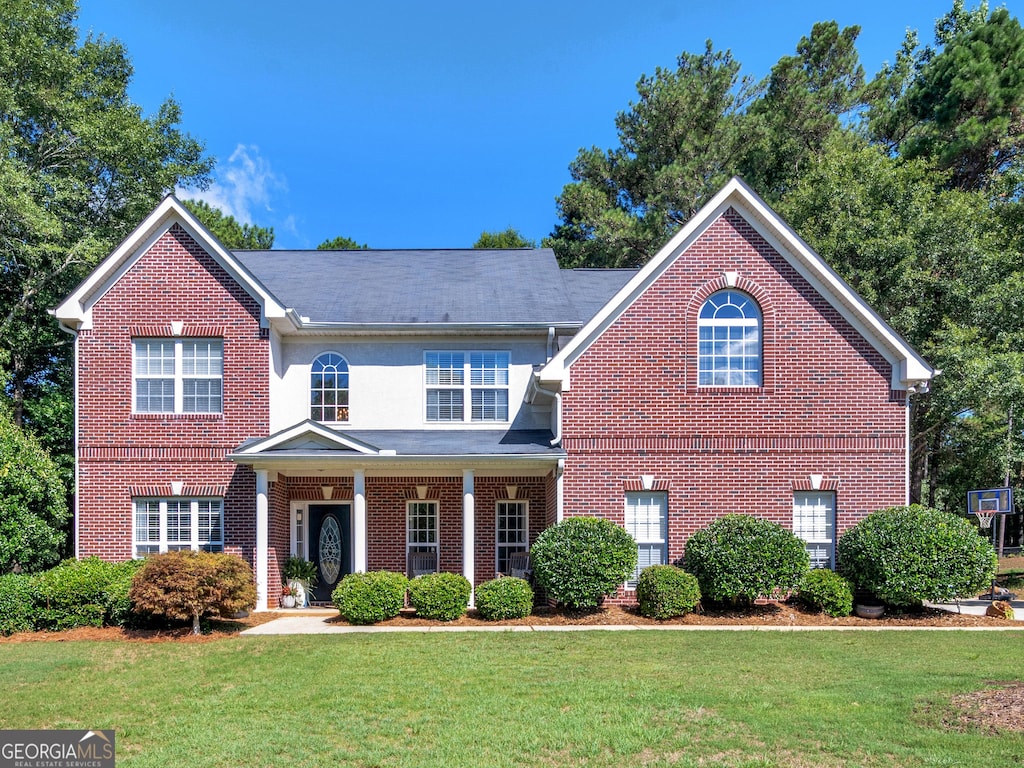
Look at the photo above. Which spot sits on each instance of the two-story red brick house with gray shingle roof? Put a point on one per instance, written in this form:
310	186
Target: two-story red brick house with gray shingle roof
438	410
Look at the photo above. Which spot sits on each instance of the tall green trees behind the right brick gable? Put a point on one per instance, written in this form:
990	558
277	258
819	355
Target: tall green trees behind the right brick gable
909	184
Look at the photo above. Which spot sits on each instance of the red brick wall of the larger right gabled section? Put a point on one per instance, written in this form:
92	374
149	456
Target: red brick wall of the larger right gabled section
825	408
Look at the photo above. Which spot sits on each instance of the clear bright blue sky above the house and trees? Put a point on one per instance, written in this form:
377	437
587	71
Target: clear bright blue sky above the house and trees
408	124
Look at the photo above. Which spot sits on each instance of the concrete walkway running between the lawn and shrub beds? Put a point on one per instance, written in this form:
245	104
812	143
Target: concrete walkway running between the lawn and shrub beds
316	622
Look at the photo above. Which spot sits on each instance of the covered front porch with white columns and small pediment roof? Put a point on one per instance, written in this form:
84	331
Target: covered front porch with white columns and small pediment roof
463	502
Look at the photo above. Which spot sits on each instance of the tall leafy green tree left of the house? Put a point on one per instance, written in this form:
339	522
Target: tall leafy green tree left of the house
80	166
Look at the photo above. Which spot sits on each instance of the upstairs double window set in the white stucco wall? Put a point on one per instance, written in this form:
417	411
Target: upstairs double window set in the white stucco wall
478	379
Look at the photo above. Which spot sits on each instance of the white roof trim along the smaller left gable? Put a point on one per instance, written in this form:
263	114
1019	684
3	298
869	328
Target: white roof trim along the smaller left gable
76	312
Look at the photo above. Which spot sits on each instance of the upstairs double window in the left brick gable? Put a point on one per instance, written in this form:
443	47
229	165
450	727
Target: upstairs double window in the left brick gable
179	376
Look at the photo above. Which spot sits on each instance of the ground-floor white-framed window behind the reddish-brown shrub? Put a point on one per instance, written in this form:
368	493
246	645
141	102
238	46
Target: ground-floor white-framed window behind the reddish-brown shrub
168	525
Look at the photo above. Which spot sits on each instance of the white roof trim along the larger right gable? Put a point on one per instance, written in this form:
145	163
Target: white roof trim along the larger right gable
910	371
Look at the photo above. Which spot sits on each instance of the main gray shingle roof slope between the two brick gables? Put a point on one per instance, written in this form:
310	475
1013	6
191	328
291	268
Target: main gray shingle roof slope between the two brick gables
417	287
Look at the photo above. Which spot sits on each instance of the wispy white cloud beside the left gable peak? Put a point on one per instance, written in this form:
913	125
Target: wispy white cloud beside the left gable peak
244	184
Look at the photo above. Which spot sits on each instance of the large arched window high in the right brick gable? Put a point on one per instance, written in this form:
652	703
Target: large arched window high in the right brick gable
730	342
